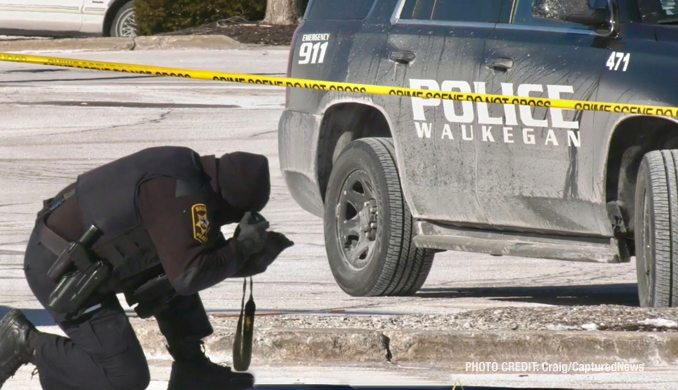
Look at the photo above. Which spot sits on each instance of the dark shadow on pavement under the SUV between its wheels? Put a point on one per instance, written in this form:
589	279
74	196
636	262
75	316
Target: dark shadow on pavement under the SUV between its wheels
606	294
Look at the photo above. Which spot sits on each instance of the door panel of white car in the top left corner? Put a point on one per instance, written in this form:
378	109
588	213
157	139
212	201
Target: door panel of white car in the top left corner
41	15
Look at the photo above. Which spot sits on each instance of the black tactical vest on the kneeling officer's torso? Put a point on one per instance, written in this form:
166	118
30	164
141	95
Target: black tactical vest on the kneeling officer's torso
108	196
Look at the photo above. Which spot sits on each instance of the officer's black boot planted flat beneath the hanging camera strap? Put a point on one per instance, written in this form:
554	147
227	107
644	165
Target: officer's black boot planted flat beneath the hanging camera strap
193	370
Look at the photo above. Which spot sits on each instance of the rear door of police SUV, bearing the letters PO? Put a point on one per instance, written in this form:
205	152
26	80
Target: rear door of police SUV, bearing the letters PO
439	45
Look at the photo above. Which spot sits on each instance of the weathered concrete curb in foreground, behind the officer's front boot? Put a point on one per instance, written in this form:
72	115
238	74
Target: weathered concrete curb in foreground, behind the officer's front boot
446	349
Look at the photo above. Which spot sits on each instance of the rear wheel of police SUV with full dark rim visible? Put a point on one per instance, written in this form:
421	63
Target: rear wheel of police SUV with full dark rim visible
368	225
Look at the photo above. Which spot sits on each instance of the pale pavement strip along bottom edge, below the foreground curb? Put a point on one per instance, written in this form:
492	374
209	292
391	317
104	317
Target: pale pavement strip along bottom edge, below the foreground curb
404	377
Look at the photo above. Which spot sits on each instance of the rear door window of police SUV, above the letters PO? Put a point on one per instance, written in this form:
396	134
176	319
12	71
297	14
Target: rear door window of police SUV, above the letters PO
482	11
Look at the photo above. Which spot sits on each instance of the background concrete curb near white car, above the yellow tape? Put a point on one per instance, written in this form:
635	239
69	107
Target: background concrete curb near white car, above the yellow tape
166	42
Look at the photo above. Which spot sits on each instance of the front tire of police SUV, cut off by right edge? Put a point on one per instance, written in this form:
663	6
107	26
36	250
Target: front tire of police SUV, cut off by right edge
656	230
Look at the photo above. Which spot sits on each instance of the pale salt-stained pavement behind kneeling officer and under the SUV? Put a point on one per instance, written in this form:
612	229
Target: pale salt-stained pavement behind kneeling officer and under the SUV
58	122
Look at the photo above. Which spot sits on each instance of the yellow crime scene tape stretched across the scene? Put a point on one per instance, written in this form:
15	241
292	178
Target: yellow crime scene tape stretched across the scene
343	87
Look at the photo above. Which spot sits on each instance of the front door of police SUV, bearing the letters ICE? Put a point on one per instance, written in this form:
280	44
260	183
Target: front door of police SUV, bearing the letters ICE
537	172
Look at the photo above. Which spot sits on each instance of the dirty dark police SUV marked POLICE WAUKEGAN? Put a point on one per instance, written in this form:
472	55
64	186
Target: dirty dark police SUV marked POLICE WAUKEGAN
398	179
